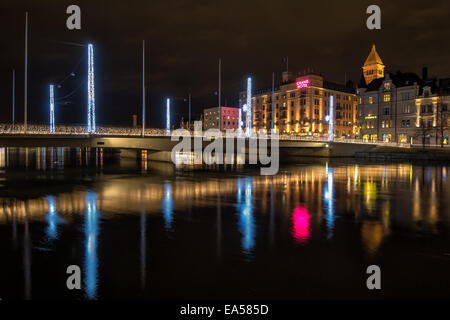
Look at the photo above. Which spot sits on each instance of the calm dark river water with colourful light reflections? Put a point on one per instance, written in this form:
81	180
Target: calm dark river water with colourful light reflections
148	230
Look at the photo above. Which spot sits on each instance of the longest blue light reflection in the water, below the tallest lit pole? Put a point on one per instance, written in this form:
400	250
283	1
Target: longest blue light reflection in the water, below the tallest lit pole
91	229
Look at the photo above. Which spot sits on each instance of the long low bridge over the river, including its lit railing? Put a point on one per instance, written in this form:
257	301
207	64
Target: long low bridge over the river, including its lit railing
158	143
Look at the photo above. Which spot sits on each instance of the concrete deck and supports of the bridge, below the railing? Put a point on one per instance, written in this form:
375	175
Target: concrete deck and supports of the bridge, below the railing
159	147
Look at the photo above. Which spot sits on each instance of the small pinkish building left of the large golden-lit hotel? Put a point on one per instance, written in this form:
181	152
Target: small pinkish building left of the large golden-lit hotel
230	118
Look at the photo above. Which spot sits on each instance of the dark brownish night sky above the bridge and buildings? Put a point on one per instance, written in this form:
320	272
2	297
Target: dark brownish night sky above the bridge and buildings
185	39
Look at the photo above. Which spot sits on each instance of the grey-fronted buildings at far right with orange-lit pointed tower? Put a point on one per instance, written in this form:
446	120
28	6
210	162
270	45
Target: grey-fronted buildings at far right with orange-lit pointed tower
401	107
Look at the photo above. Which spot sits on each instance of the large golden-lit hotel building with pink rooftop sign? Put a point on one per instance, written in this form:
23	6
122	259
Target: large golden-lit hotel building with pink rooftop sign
301	107
